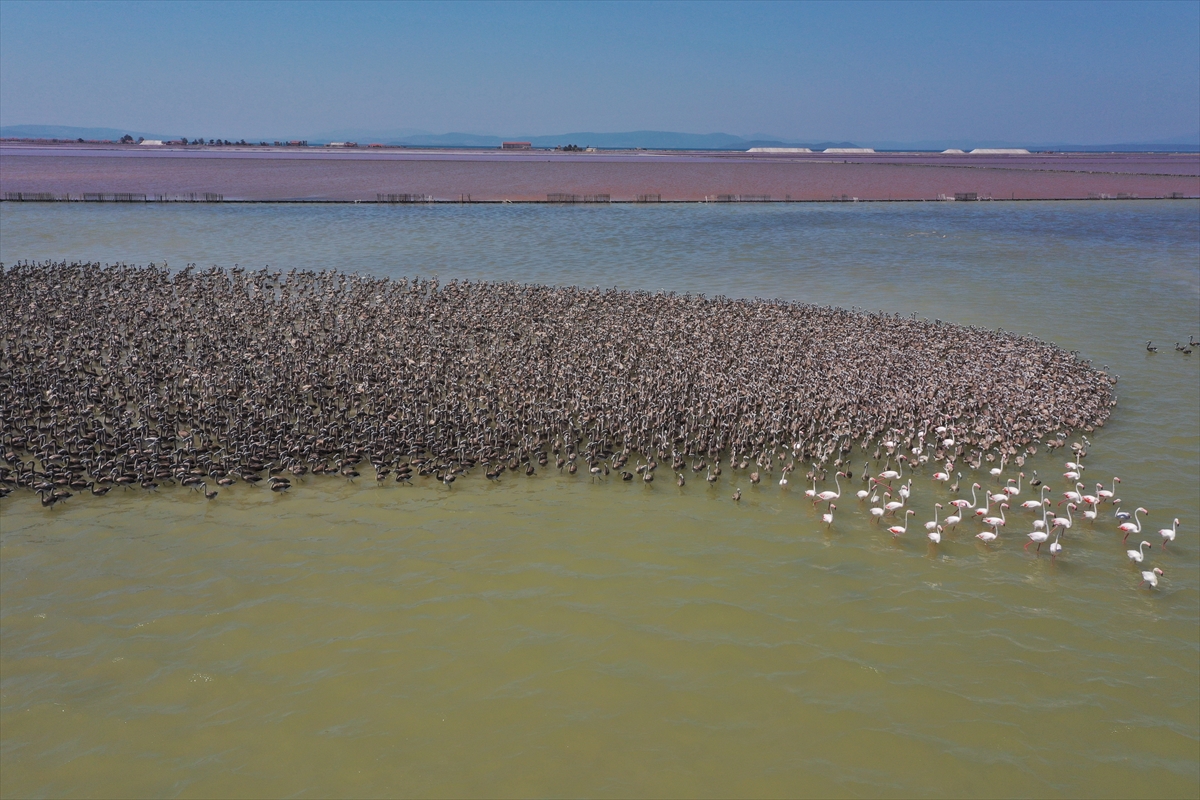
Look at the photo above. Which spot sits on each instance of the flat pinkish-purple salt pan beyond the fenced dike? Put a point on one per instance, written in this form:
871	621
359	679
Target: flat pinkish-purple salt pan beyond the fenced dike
73	172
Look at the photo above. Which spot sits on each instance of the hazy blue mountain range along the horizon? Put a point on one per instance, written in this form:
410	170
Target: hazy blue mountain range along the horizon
621	141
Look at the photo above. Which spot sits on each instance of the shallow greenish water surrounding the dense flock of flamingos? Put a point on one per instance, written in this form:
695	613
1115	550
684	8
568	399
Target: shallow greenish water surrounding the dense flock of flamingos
551	636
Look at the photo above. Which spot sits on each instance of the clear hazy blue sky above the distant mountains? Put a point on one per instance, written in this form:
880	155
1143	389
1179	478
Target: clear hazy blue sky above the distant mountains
1079	73
